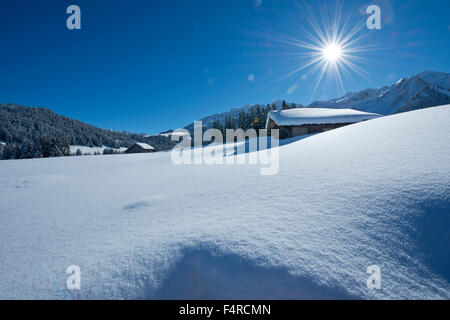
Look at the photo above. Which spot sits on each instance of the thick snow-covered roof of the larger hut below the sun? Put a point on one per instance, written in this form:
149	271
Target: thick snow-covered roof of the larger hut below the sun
303	116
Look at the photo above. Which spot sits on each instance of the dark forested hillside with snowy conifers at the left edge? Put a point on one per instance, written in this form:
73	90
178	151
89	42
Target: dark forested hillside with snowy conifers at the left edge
32	132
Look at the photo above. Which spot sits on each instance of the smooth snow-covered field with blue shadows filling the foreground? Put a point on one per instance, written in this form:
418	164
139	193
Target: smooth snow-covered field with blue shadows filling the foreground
373	193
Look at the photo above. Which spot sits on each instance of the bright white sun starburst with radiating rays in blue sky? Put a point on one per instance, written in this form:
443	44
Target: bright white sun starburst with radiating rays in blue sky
330	49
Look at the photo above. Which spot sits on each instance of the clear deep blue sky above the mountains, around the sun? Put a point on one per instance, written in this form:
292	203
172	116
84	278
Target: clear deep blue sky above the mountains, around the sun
148	66
